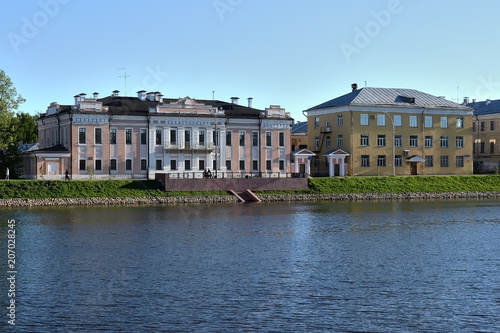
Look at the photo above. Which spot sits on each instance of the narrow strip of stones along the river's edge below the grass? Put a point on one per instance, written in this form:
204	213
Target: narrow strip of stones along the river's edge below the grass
152	200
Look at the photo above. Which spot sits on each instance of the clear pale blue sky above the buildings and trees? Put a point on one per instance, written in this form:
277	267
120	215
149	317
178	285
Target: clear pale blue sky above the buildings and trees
292	53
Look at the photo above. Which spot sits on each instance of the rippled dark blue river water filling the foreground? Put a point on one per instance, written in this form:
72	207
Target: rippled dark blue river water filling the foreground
322	267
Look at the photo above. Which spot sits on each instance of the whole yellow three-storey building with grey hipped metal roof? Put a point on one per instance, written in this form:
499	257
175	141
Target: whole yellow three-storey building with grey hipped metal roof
385	131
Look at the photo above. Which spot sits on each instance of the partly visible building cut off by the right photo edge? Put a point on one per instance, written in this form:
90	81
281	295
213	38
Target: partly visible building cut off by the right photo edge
486	127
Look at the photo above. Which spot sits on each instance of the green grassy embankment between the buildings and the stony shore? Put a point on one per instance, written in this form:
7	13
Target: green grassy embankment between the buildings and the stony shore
128	188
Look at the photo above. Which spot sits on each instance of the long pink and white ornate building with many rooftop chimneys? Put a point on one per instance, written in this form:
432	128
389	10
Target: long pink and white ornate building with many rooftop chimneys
136	137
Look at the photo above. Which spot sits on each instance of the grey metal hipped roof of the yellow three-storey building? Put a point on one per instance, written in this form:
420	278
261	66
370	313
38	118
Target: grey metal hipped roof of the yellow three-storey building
390	97
